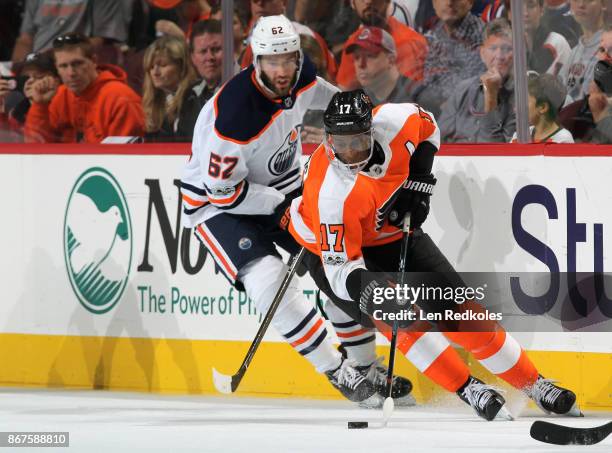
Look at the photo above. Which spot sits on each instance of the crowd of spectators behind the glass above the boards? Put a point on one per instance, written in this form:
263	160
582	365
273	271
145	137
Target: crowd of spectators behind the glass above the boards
87	70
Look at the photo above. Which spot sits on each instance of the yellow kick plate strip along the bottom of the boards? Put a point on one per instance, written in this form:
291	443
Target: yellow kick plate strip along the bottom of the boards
184	366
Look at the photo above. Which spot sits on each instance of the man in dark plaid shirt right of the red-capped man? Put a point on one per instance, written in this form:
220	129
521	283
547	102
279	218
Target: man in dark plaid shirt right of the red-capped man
454	56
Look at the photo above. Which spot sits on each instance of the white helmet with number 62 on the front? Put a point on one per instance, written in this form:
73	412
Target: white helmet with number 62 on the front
273	35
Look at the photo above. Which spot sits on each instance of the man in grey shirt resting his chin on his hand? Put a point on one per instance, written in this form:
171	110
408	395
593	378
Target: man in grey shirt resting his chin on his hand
481	108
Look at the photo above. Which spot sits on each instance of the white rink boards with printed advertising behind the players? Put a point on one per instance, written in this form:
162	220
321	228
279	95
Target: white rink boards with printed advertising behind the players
470	220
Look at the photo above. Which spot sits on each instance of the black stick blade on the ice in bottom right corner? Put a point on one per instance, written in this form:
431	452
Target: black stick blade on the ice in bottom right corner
552	433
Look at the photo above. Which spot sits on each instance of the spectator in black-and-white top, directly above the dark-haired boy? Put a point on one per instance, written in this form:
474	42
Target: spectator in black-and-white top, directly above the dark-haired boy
547	51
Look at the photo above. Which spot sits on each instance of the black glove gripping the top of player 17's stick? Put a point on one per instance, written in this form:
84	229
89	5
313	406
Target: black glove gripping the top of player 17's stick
413	198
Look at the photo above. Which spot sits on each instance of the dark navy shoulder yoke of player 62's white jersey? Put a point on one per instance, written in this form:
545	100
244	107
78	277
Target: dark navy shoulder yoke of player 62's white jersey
243	112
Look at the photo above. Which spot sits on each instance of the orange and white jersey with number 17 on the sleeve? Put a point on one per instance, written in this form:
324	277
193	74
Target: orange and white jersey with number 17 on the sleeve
338	214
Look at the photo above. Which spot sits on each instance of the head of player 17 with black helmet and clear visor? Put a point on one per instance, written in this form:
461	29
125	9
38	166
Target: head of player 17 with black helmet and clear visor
348	131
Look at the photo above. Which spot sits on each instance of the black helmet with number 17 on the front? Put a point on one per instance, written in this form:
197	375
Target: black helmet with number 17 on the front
348	112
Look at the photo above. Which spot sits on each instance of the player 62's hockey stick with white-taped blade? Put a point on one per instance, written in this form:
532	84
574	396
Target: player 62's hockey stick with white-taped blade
228	384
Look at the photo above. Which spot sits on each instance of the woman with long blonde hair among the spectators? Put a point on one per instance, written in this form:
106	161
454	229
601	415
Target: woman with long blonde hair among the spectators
168	98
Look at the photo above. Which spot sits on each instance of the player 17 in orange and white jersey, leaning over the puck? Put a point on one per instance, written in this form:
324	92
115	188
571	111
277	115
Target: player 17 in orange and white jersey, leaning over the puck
373	167
